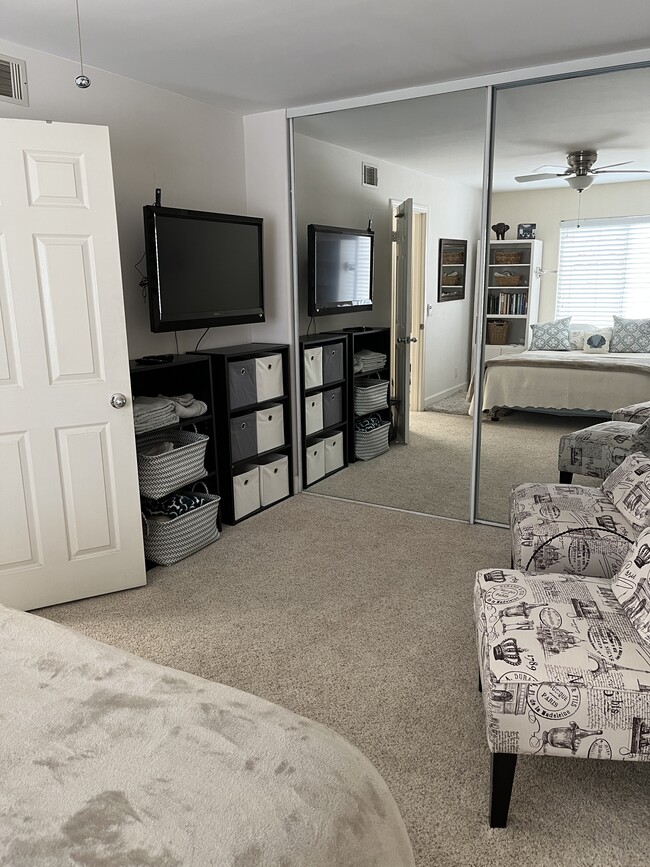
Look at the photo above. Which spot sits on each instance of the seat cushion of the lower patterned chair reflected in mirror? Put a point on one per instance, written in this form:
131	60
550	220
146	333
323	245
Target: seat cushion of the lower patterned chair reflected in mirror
597	450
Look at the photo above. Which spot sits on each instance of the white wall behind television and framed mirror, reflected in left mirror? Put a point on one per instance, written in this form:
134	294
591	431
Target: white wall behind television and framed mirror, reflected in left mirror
328	190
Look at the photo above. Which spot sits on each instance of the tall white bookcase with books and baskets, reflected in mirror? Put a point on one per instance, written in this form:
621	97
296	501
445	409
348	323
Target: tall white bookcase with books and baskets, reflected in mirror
512	293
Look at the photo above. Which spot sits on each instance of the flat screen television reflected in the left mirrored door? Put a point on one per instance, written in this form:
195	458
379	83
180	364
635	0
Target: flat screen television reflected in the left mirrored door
340	263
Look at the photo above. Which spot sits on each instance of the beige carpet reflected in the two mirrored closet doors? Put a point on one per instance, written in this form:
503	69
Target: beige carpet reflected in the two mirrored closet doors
432	473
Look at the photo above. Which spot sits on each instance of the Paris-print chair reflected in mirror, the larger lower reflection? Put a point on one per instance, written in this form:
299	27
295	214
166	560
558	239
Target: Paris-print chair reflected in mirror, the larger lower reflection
596	450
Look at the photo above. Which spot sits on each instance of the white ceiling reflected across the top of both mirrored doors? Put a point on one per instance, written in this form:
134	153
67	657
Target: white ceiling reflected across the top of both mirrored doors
537	125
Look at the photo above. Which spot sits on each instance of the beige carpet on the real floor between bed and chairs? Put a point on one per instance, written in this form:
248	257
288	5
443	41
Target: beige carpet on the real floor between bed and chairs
361	618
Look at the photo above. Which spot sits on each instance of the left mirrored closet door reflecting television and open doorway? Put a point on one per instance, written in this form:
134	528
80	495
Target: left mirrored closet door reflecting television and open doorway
354	170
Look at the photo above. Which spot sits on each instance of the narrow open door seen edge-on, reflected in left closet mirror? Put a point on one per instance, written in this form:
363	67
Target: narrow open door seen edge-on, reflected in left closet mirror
403	317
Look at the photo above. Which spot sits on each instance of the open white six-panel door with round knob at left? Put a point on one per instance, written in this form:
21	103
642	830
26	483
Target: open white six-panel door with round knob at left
69	507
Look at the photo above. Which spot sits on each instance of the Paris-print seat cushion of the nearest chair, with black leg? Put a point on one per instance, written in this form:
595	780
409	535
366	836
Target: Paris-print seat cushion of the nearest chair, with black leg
564	672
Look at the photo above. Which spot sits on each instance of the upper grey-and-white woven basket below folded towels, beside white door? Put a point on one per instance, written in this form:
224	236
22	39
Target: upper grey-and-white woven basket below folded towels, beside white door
162	474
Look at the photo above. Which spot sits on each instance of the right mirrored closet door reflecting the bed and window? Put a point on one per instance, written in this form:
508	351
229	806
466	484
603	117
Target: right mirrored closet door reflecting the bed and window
570	184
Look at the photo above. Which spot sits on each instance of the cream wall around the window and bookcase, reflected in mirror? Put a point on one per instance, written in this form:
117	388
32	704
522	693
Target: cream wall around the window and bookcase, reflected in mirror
548	208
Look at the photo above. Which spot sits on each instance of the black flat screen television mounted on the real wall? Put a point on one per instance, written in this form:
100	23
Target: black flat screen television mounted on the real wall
203	269
